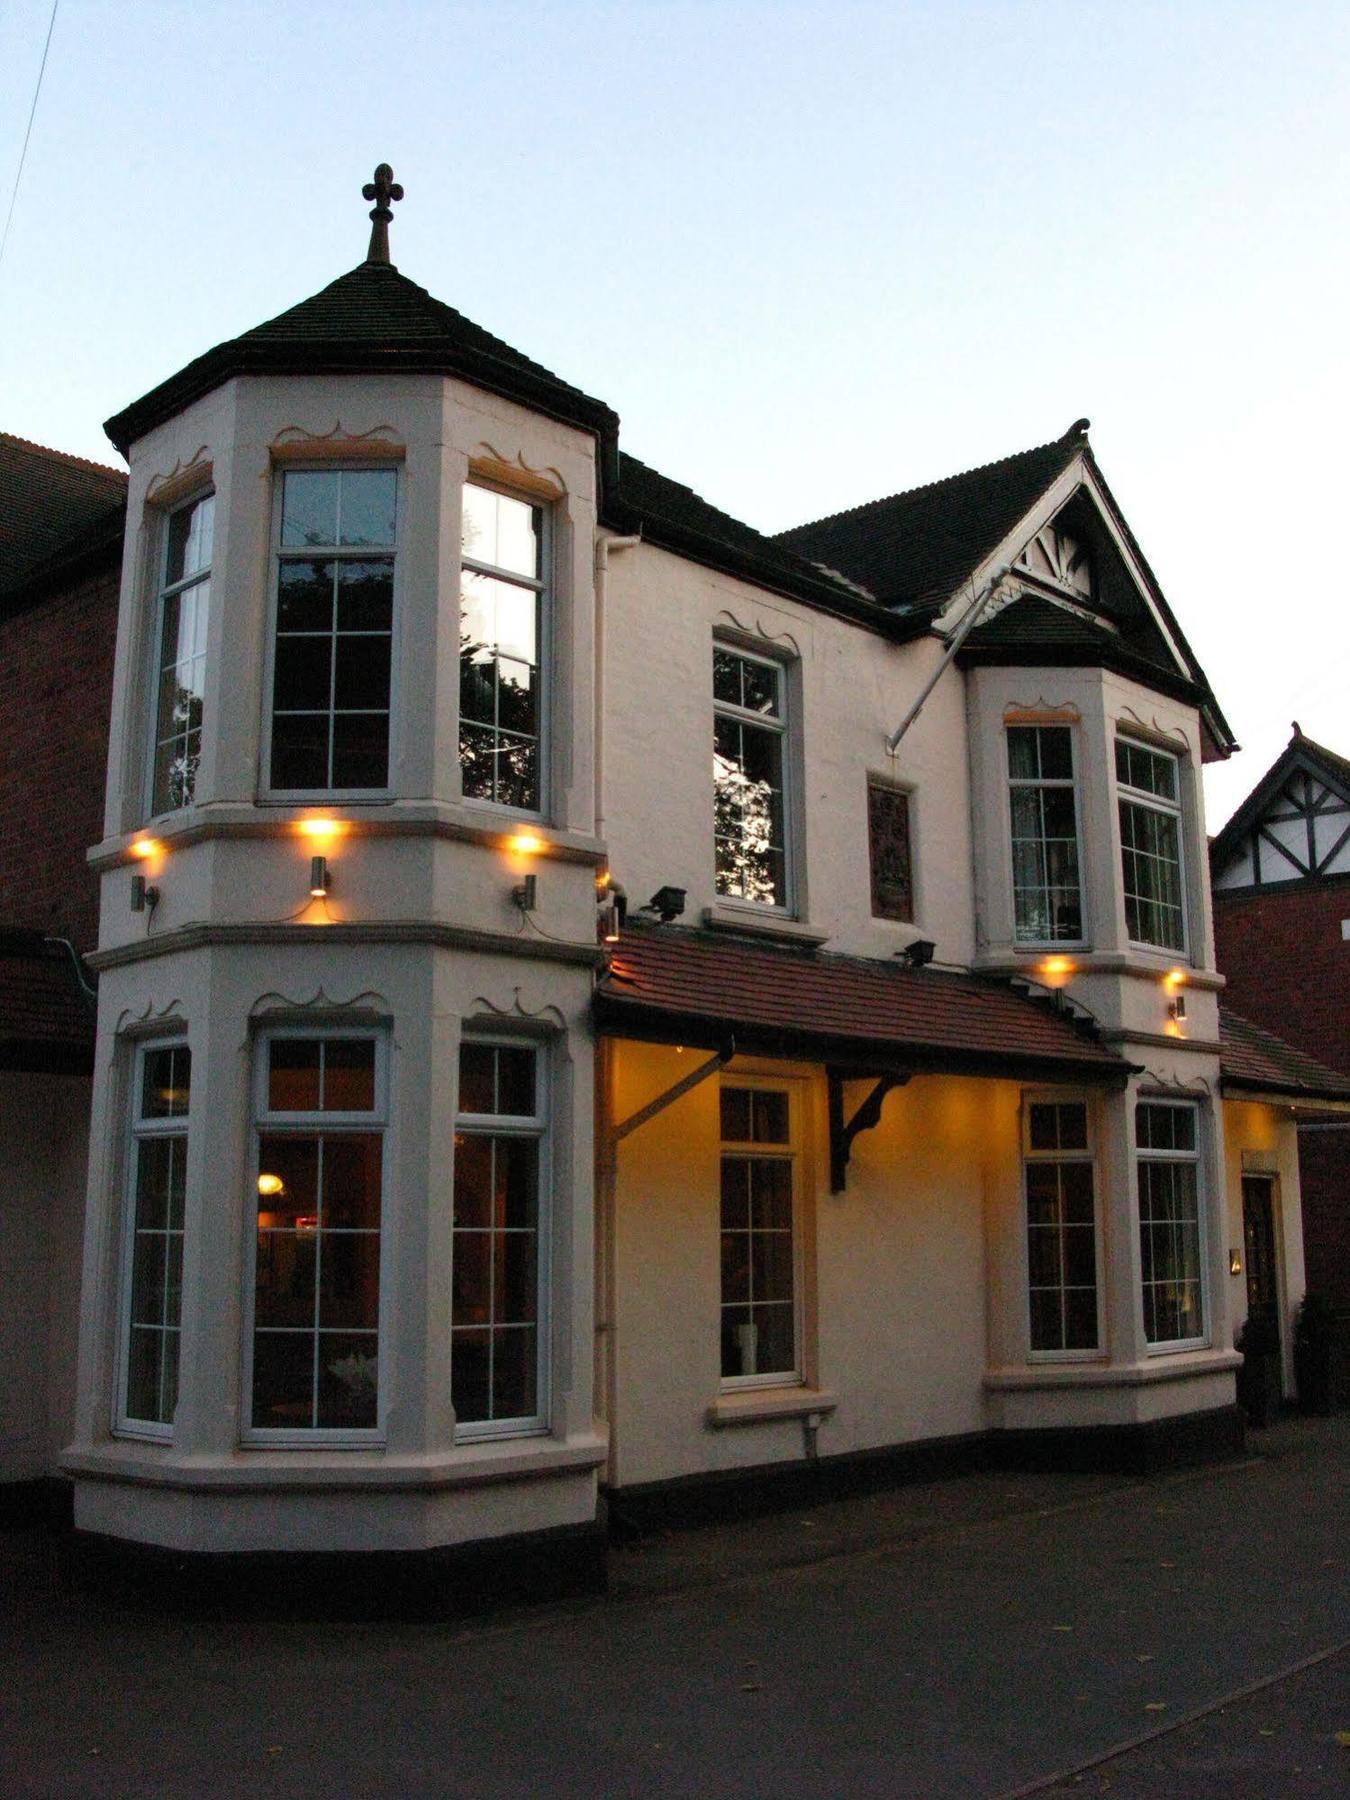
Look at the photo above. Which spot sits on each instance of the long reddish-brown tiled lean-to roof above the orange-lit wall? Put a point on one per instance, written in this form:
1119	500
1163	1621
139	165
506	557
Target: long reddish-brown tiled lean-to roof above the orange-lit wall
696	987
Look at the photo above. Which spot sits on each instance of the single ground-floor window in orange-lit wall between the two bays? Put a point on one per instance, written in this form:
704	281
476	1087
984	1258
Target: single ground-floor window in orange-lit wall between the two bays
760	1232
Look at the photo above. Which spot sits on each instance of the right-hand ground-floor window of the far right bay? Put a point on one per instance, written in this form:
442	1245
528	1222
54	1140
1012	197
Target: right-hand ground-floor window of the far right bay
1173	1225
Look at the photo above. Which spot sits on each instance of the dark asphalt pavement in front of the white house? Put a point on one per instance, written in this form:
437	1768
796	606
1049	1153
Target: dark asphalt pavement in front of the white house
985	1637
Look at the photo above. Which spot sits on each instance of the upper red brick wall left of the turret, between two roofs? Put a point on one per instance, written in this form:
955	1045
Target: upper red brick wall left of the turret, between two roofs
57	661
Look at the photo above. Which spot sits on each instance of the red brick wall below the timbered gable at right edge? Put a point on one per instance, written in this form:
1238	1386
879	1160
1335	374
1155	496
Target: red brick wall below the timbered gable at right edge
1288	966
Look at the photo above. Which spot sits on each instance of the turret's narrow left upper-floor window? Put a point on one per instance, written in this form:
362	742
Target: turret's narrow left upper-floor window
181	652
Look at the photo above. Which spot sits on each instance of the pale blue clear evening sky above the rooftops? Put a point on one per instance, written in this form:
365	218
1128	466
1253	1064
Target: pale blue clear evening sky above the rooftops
811	255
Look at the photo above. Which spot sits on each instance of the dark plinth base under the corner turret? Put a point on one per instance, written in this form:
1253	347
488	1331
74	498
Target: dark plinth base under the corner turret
415	1585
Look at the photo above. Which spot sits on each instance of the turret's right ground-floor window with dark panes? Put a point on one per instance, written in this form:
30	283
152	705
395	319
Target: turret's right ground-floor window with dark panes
503	1225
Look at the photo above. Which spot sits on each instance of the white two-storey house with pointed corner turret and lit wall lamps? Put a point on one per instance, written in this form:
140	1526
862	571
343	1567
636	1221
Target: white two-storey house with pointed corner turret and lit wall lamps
429	1192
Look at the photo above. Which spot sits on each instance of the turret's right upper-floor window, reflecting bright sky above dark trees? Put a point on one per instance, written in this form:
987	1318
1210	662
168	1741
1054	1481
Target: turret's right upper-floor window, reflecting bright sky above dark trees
503	606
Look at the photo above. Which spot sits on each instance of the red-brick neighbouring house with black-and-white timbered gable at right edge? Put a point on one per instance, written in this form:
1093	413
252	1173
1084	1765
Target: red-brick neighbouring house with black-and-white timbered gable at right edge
1282	931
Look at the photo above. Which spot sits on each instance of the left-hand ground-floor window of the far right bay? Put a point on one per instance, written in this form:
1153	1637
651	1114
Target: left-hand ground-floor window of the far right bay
1063	1228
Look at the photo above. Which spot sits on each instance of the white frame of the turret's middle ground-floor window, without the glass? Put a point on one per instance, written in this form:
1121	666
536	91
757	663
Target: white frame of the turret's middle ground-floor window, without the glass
307	1124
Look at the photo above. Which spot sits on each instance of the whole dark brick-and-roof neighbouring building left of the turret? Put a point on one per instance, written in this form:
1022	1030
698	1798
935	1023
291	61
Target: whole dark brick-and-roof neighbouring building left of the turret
60	573
